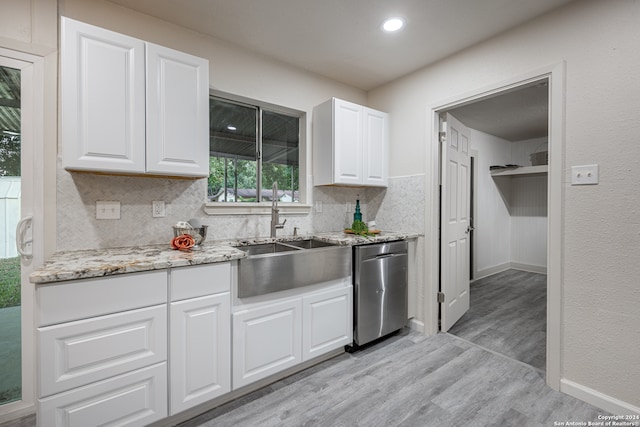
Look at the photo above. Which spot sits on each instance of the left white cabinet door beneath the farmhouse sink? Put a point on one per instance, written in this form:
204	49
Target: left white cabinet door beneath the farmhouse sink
266	340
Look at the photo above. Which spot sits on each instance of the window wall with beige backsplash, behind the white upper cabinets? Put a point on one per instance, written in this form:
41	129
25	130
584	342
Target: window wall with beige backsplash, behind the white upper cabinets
233	71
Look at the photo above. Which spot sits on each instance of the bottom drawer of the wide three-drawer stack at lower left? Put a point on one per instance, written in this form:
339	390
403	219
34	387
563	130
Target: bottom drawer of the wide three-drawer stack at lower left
133	399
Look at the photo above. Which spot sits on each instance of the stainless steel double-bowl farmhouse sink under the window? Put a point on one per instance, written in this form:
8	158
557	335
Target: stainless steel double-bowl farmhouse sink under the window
273	267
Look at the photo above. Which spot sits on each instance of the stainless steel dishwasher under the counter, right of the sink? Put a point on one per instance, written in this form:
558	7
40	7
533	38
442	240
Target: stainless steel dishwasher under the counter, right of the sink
380	290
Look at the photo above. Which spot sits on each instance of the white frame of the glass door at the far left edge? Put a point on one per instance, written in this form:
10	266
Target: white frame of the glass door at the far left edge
32	125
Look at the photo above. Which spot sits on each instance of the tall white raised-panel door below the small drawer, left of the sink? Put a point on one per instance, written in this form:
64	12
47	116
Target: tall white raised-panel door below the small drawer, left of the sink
200	352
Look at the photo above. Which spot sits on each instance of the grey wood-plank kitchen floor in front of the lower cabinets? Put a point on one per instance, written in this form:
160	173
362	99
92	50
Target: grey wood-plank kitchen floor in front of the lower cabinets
407	380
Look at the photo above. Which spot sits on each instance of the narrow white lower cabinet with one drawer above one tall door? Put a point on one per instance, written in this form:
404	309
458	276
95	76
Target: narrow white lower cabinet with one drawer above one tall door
200	335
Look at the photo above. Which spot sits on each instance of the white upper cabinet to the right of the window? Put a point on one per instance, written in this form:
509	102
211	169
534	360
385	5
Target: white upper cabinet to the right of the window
350	144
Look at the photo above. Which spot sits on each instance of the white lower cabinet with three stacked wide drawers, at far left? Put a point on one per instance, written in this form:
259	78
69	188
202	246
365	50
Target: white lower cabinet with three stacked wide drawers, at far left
102	351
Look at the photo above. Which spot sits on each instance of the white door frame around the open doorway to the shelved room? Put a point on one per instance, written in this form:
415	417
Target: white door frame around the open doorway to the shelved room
555	74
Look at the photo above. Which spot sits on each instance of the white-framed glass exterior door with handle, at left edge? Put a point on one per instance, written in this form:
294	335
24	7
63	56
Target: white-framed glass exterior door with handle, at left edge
21	129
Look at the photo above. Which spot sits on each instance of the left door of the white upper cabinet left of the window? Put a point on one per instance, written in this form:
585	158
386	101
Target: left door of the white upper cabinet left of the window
103	99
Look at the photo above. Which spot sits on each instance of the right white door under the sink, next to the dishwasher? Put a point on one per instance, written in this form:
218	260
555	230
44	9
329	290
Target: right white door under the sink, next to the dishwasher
327	321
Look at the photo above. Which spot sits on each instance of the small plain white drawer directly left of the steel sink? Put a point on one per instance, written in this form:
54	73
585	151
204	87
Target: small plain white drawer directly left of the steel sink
201	280
